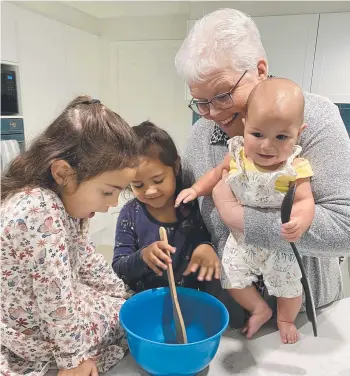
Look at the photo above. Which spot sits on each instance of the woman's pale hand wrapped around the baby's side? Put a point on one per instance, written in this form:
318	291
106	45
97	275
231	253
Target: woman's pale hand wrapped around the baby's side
230	210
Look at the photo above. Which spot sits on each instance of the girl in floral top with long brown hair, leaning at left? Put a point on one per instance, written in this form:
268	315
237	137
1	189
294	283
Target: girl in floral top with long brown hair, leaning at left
60	299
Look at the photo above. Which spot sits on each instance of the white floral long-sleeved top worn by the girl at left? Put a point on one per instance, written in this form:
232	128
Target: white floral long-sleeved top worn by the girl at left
60	299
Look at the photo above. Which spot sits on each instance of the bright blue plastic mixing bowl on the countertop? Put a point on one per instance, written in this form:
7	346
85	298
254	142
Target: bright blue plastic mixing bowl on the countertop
147	318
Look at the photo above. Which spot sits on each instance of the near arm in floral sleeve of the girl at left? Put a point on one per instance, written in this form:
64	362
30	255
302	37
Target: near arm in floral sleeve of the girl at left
54	296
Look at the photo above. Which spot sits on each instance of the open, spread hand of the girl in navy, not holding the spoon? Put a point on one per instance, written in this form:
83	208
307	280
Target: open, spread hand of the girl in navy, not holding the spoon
205	258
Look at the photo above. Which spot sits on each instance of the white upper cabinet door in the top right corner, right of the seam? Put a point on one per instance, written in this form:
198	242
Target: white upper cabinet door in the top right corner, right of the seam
331	75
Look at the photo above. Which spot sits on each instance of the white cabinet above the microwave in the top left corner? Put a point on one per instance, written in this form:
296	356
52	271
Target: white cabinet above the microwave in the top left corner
9	44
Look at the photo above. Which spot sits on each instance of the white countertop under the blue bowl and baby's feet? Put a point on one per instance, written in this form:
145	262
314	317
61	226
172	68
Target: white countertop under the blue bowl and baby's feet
265	355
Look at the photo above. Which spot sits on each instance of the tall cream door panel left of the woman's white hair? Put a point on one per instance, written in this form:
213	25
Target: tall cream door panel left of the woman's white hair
147	86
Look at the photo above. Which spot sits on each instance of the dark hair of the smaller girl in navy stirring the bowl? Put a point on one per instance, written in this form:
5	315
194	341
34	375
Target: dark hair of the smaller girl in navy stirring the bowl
155	143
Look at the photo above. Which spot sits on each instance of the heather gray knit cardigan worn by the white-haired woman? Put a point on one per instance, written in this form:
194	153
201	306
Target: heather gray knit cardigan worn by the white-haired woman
326	145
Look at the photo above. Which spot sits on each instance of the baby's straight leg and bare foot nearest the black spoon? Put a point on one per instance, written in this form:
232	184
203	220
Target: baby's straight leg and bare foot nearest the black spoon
287	311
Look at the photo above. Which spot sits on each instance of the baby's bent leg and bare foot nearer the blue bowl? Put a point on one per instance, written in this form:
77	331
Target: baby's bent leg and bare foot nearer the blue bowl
250	299
